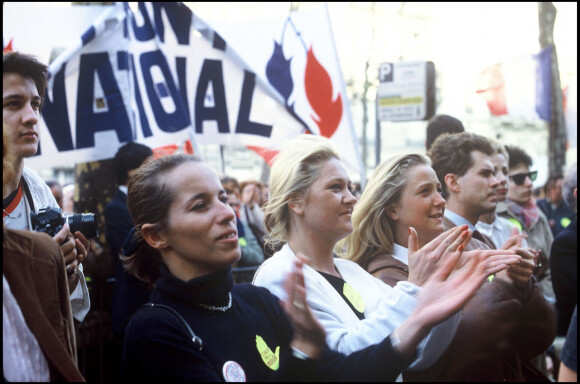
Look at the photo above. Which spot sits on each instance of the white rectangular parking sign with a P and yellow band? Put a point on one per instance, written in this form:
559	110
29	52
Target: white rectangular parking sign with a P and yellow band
406	91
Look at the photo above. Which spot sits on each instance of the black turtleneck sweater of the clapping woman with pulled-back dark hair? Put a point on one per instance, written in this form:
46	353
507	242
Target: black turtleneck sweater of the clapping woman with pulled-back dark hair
255	333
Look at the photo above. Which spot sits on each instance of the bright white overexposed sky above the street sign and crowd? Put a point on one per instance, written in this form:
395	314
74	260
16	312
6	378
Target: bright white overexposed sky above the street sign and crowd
460	38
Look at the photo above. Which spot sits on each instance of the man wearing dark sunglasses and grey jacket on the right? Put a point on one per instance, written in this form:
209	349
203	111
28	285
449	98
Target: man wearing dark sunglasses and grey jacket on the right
520	208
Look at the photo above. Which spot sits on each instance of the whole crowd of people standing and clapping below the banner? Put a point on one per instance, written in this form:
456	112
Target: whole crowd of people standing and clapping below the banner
443	267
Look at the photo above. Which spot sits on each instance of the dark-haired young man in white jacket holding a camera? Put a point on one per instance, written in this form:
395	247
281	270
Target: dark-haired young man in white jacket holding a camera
24	84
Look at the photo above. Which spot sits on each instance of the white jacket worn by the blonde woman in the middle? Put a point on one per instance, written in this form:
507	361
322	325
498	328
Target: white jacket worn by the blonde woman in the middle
385	307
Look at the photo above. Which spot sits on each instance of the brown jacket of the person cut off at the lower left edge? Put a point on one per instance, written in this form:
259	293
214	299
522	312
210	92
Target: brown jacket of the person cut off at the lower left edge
34	267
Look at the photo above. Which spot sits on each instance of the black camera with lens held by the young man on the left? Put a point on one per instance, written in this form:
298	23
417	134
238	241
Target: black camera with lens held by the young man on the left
51	220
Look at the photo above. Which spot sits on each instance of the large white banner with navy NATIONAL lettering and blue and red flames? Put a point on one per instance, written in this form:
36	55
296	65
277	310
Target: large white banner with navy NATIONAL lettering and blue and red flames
156	73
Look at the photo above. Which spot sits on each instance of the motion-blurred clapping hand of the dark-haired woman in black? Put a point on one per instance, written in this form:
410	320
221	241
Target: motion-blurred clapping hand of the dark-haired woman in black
309	335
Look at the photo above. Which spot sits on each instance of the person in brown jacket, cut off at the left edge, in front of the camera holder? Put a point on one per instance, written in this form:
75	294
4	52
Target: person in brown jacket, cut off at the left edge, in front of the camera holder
38	328
